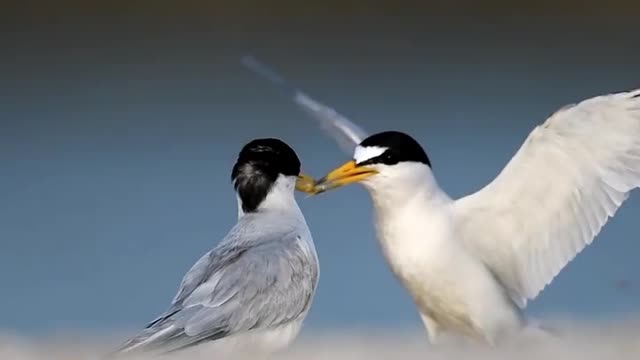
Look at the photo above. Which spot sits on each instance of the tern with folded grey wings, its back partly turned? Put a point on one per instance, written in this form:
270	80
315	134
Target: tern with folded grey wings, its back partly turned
254	289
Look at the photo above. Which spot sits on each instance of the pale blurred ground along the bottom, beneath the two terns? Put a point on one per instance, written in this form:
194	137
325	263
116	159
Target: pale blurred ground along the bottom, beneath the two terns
620	341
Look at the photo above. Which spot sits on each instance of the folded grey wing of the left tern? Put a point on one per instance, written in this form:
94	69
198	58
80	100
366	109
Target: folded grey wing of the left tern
234	289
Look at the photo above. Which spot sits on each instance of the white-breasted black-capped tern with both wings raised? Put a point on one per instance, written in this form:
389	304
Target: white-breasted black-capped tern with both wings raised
471	264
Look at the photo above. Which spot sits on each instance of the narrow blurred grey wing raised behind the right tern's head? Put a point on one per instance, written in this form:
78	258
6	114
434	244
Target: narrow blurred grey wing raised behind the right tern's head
344	131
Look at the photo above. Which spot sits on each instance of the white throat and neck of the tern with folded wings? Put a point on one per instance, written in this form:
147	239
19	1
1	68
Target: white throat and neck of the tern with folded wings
280	198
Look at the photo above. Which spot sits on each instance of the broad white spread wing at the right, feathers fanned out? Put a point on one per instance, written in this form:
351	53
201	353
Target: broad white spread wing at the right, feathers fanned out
569	177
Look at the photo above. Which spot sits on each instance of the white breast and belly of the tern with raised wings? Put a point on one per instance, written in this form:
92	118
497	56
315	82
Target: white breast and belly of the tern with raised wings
452	288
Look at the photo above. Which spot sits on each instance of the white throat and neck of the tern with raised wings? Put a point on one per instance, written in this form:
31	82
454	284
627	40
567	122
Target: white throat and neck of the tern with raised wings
406	186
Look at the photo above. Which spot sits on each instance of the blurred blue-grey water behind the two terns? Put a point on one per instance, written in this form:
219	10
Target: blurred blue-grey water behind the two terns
117	141
